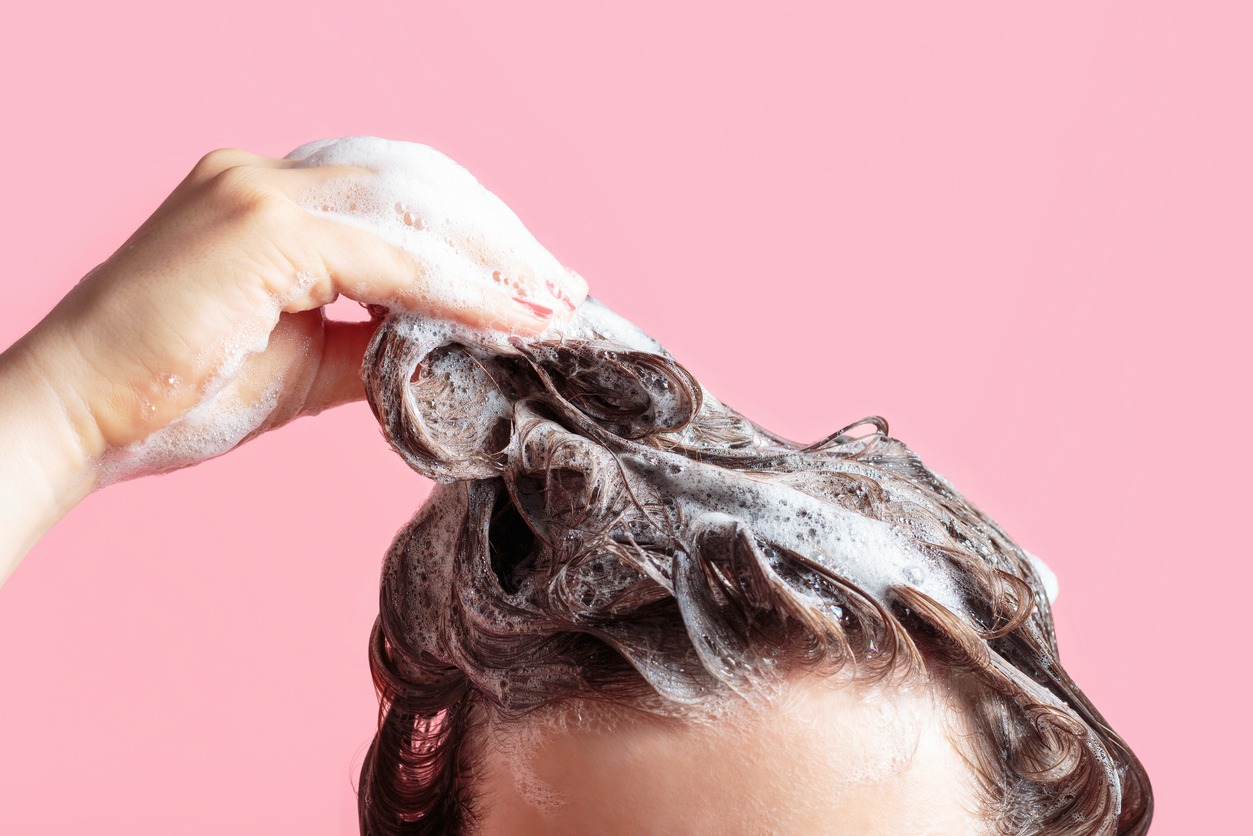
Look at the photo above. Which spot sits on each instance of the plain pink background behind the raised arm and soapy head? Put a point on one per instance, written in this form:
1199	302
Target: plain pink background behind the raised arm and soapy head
1022	236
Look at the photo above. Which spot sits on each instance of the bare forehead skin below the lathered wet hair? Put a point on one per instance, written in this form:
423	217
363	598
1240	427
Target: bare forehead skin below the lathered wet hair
821	758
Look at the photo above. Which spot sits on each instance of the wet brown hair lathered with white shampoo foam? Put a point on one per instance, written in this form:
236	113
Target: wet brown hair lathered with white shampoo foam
606	530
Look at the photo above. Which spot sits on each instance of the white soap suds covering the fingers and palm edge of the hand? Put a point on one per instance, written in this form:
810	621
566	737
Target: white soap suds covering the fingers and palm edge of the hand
477	253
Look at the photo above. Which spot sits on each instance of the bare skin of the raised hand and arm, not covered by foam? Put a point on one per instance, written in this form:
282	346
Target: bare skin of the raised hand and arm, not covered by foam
230	258
